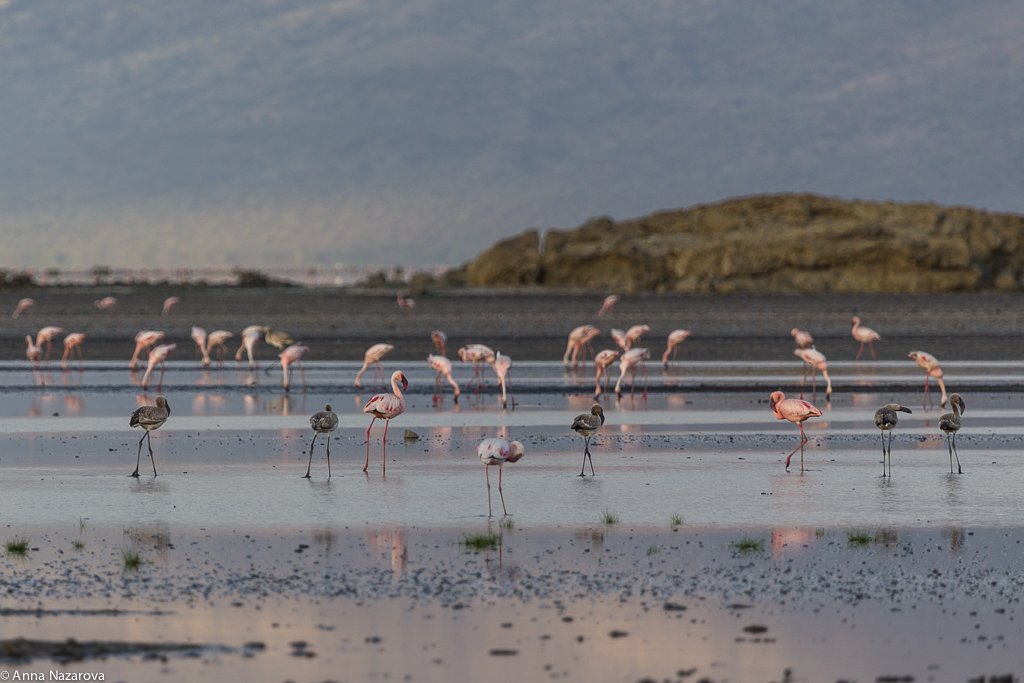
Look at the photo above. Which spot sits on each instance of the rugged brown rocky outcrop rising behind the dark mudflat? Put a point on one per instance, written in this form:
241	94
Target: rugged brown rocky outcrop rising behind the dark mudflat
784	243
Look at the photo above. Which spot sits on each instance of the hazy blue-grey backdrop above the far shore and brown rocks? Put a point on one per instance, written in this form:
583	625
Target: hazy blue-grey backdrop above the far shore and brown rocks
307	133
